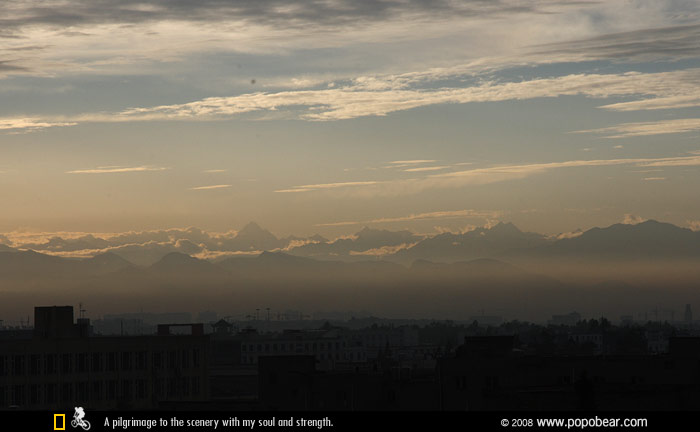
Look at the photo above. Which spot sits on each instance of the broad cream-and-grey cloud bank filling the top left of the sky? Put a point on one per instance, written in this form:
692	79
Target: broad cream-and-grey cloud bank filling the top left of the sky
91	34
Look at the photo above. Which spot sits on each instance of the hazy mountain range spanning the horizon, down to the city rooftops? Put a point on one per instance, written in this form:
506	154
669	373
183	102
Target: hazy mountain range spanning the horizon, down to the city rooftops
616	269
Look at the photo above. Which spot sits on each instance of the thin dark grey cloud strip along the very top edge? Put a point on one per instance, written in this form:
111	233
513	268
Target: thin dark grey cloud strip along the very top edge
291	13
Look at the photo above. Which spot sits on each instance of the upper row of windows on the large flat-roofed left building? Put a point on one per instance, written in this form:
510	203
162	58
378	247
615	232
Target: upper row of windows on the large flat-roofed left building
48	364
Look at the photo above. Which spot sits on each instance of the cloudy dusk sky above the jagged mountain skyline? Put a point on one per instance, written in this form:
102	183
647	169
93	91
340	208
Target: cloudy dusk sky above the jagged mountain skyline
326	116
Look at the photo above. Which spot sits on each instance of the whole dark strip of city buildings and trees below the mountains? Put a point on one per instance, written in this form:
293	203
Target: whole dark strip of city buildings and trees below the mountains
591	365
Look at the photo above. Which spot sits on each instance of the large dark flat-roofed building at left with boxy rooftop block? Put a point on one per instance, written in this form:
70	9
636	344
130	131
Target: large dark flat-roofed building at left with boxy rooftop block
62	366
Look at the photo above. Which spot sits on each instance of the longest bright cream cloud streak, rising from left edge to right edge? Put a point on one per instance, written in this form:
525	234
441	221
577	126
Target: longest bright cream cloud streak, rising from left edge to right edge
400	92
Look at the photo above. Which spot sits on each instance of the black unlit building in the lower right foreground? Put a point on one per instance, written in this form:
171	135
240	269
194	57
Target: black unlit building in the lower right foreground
487	373
